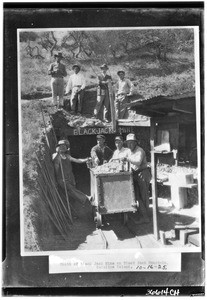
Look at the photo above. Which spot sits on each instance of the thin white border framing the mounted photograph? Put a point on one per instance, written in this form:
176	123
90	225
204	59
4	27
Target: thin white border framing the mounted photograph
197	87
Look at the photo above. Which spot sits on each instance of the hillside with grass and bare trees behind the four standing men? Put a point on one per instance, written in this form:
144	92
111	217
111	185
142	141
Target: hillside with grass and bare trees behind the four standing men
159	61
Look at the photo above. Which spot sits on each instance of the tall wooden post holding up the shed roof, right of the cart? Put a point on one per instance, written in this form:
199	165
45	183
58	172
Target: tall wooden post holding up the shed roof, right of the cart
154	179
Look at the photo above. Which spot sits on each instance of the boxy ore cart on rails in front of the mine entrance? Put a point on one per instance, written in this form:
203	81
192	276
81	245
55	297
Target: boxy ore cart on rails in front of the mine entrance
112	193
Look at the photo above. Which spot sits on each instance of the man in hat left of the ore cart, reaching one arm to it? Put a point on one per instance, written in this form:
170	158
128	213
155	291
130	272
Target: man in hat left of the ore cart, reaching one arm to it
62	157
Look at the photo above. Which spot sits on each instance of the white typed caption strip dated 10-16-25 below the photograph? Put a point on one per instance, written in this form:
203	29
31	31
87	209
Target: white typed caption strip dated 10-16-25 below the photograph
115	262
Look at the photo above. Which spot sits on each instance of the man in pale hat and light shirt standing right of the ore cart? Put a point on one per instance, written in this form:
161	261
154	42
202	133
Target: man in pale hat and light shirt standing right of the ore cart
141	174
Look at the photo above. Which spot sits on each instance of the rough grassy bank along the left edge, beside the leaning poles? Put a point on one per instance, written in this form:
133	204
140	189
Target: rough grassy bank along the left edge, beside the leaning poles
32	140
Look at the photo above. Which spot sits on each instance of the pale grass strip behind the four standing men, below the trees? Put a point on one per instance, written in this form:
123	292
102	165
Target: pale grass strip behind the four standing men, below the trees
150	75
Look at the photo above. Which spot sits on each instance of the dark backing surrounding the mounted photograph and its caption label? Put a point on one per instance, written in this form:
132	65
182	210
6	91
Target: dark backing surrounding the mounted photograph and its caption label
29	275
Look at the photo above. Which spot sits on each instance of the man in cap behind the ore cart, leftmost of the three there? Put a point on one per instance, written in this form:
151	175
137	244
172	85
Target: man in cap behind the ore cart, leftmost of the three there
101	153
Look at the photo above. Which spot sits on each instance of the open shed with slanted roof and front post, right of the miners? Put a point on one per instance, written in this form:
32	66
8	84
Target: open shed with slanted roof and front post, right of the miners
167	114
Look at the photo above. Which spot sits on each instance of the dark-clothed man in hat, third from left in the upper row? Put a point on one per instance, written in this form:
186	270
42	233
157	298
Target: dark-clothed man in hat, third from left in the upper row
103	102
